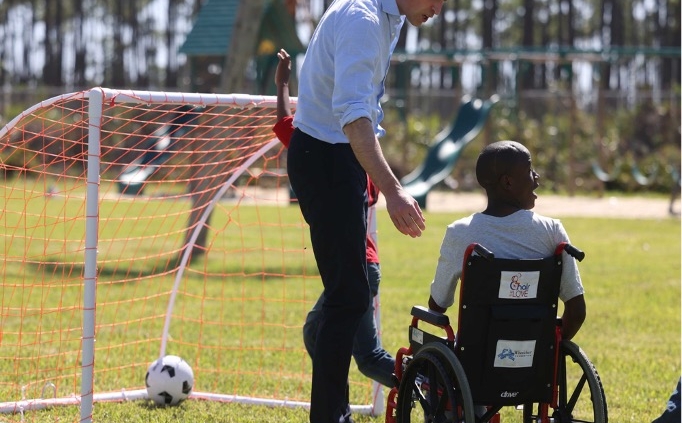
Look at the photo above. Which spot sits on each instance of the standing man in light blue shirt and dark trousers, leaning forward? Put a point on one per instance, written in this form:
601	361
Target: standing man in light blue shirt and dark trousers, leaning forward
334	147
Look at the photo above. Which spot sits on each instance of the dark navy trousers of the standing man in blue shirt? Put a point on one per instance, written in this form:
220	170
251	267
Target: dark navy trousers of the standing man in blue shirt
331	188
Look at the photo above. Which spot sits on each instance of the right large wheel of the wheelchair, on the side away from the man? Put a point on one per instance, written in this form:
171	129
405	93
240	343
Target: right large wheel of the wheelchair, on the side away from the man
581	394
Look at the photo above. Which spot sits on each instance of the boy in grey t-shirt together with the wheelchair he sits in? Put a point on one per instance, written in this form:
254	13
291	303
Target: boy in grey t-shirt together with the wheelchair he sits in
505	350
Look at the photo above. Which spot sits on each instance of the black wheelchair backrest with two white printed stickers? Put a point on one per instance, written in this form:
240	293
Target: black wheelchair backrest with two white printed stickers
507	328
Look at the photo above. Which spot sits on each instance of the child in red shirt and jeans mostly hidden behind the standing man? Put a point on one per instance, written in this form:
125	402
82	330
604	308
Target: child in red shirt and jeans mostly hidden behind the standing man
372	360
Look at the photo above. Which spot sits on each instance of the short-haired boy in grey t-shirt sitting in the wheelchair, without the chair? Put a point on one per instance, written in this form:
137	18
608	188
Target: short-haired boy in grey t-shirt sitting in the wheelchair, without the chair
510	229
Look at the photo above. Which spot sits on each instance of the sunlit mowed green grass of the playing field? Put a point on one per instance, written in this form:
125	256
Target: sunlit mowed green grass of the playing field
632	333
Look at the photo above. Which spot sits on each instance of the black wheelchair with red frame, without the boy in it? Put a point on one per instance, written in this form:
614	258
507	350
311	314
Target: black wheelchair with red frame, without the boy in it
507	351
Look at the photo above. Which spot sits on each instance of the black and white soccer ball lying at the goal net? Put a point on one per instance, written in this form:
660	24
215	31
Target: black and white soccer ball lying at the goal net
169	380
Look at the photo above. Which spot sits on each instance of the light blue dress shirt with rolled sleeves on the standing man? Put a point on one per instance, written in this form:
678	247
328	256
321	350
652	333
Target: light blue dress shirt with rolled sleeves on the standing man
344	69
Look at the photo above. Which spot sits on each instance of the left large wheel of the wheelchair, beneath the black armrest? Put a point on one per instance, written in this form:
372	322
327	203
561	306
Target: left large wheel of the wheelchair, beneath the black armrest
434	389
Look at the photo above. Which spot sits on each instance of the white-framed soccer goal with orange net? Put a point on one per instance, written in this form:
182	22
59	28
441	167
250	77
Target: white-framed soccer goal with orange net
142	224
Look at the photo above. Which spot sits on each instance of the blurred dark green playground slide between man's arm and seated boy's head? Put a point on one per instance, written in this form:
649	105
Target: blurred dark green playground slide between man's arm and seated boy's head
447	148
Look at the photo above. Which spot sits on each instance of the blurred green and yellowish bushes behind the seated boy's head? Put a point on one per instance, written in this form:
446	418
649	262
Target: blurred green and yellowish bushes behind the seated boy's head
564	140
